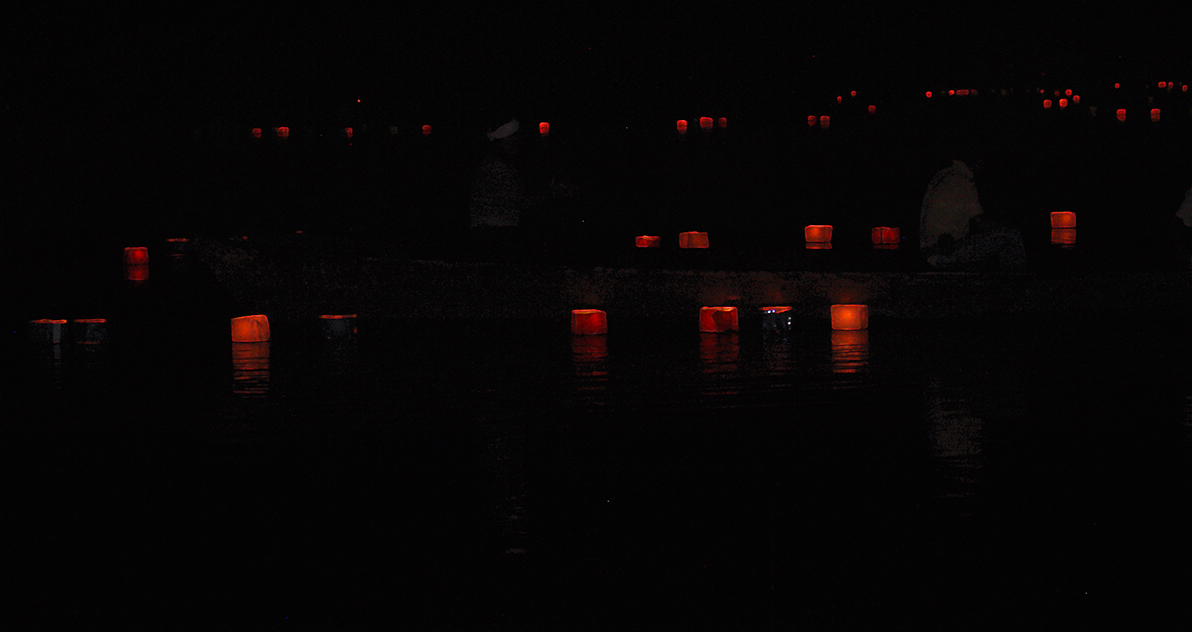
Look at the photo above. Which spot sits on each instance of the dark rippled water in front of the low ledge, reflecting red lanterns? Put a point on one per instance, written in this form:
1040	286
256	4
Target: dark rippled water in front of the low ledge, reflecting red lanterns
920	475
